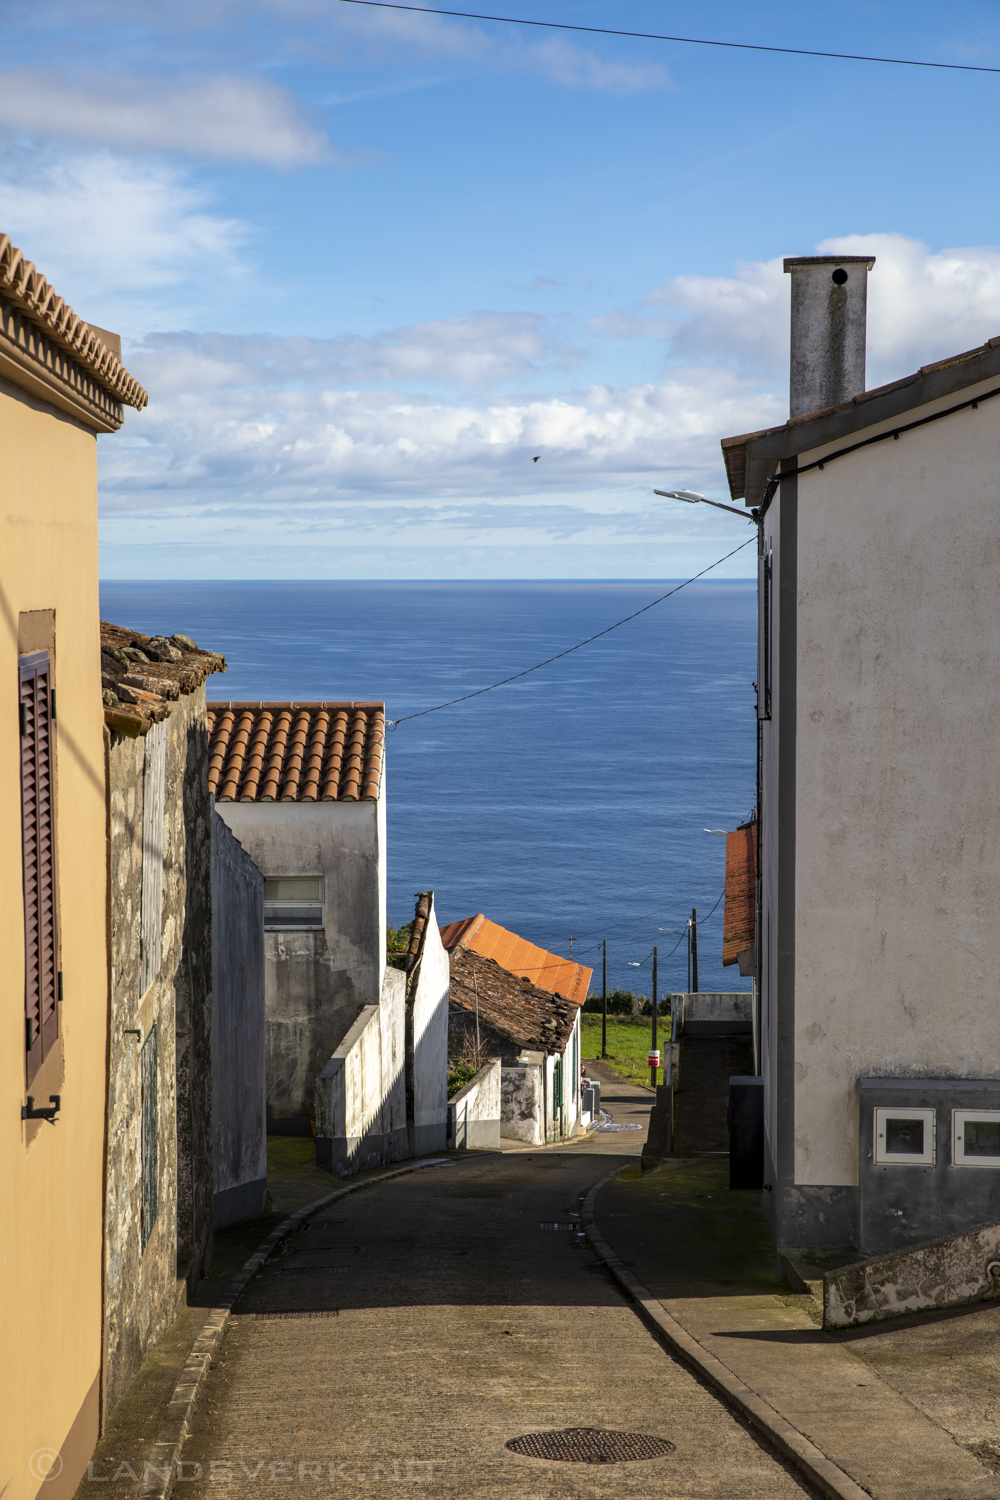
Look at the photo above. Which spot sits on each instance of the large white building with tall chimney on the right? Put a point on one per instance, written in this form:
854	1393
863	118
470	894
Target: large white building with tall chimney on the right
881	782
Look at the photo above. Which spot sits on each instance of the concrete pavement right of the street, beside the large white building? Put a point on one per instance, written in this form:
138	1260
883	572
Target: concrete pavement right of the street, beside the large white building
908	1411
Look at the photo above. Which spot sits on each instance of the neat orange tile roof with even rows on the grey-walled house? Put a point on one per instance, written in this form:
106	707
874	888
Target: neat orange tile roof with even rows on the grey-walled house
296	752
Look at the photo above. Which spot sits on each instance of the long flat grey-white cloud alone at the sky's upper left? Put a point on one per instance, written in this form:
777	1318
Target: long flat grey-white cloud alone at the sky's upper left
230	119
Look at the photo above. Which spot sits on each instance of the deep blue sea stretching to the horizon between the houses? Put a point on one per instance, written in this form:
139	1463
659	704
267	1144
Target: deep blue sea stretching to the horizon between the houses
569	805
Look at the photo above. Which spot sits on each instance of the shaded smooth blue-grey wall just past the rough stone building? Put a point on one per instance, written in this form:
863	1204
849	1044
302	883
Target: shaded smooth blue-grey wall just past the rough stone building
239	1078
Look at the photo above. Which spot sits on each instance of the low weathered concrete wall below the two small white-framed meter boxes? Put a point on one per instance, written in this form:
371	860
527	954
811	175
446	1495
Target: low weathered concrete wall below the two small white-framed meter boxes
939	1274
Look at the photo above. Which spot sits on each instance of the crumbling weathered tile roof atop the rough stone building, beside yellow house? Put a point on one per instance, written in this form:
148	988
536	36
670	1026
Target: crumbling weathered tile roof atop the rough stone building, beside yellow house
143	676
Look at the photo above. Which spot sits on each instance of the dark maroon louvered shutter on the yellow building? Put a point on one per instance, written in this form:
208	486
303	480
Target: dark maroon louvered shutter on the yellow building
38	842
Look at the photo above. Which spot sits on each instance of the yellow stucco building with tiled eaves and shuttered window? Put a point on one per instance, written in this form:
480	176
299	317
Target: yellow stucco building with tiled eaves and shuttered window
61	385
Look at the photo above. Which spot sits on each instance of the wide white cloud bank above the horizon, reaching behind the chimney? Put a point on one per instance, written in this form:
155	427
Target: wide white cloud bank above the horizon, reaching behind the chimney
278	437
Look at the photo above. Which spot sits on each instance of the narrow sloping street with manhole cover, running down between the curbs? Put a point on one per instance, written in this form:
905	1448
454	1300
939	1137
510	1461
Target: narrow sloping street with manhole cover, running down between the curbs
412	1331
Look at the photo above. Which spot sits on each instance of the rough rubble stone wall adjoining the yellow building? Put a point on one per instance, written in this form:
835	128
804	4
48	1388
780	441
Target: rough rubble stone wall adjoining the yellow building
142	1283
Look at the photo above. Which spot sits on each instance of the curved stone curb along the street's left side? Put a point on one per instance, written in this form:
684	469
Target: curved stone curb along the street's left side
163	1463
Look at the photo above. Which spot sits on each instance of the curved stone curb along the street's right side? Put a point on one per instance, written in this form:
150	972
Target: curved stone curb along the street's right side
821	1471
